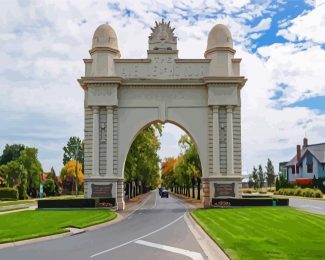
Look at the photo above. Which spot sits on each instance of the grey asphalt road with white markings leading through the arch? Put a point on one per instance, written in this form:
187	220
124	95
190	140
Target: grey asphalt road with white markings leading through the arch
156	230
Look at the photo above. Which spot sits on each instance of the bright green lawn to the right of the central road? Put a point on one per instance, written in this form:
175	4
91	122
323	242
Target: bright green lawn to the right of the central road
265	232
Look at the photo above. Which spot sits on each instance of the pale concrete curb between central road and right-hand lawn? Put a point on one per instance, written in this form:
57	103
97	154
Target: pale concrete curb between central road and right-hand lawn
210	248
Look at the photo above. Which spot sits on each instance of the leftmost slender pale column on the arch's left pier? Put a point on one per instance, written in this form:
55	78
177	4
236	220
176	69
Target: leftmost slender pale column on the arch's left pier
95	148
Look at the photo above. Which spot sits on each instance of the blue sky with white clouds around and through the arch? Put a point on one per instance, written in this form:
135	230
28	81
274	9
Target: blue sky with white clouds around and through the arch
281	43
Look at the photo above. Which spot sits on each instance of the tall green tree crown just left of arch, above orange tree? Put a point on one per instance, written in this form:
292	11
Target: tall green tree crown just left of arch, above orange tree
71	152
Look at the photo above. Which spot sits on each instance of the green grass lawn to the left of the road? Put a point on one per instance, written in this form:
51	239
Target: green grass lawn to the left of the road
31	224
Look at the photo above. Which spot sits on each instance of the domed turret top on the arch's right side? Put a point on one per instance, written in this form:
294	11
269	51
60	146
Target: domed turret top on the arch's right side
219	36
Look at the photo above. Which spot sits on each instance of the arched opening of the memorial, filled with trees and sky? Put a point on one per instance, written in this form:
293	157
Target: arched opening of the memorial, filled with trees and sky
162	154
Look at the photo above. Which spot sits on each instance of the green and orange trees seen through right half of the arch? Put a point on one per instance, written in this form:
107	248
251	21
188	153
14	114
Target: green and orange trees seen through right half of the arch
183	173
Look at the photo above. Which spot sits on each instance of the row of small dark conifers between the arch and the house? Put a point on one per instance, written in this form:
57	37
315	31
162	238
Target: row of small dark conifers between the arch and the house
260	178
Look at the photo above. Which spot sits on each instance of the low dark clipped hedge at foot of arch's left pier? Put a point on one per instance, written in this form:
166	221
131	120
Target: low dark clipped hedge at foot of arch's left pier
77	203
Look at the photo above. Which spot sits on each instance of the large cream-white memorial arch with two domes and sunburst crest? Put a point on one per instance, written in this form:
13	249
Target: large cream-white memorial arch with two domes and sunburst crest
122	96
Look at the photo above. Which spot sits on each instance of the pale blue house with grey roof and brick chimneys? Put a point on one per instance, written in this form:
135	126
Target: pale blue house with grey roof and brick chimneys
308	162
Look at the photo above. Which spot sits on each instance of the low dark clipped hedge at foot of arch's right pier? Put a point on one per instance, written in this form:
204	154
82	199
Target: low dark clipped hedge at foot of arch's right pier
235	202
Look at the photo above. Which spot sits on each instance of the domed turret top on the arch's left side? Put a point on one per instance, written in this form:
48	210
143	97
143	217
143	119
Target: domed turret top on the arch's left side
105	36
